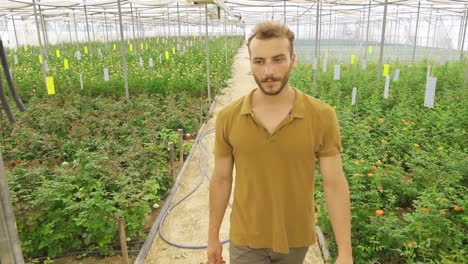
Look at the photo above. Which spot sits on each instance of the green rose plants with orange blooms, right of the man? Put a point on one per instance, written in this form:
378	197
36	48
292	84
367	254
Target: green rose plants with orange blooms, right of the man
405	163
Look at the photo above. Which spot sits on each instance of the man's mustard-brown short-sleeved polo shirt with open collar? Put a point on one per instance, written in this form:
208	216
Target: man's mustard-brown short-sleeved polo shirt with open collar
274	183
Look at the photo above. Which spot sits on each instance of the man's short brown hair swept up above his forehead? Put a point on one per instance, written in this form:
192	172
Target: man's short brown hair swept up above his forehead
269	30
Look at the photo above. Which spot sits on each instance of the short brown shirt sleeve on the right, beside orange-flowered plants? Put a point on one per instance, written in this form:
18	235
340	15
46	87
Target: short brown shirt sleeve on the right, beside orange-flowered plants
331	138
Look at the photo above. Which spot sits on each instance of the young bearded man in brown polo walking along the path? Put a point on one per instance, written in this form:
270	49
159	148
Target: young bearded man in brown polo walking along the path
274	135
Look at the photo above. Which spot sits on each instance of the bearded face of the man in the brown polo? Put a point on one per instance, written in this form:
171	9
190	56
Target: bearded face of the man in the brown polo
271	64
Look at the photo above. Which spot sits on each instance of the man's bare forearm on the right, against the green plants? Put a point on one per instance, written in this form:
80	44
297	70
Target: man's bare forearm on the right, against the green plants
339	210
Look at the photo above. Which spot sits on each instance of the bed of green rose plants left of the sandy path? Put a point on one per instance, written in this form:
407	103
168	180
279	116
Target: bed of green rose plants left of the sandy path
79	159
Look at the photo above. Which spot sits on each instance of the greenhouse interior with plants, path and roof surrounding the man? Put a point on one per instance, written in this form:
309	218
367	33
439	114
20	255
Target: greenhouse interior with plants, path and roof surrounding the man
108	128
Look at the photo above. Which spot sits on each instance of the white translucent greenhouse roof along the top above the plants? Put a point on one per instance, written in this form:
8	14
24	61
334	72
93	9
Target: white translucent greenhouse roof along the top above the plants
251	12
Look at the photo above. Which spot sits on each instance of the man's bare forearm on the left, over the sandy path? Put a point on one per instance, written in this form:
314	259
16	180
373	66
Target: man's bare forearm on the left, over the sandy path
220	192
